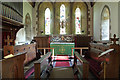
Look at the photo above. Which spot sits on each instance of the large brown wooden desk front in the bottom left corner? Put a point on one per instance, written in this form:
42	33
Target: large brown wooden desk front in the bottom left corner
13	67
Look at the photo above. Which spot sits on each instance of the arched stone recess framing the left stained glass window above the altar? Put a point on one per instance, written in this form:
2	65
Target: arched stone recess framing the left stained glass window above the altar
41	17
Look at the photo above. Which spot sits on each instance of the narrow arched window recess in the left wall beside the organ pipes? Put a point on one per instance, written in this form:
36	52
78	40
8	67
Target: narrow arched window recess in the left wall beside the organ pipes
28	27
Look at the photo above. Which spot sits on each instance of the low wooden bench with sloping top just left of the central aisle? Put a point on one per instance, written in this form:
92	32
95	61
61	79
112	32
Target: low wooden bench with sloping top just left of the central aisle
42	70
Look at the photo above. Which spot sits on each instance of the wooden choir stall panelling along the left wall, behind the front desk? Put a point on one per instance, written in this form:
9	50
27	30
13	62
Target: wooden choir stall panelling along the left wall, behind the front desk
30	49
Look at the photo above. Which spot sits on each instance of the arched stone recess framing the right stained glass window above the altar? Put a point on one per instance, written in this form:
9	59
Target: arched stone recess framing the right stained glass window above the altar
83	11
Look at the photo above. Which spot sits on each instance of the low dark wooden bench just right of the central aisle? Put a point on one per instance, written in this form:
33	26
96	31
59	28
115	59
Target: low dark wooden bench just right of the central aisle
81	70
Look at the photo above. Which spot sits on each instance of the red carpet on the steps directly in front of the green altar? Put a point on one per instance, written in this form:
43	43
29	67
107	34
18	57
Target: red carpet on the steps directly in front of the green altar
62	63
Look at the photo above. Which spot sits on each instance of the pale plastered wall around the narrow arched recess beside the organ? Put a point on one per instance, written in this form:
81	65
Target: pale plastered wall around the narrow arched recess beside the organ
21	36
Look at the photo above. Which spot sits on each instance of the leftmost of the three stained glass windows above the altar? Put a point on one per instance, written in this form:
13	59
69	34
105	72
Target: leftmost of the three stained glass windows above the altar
47	21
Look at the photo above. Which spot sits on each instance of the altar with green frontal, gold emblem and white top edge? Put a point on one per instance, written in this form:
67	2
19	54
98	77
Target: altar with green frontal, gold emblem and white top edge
62	48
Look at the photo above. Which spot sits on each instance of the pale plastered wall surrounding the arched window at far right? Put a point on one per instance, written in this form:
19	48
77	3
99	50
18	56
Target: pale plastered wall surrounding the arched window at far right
98	7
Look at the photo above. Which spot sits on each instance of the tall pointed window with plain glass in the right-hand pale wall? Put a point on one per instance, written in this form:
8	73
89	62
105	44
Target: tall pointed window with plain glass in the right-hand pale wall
105	23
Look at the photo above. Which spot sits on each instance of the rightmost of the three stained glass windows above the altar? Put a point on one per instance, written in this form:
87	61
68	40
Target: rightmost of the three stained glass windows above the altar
77	21
